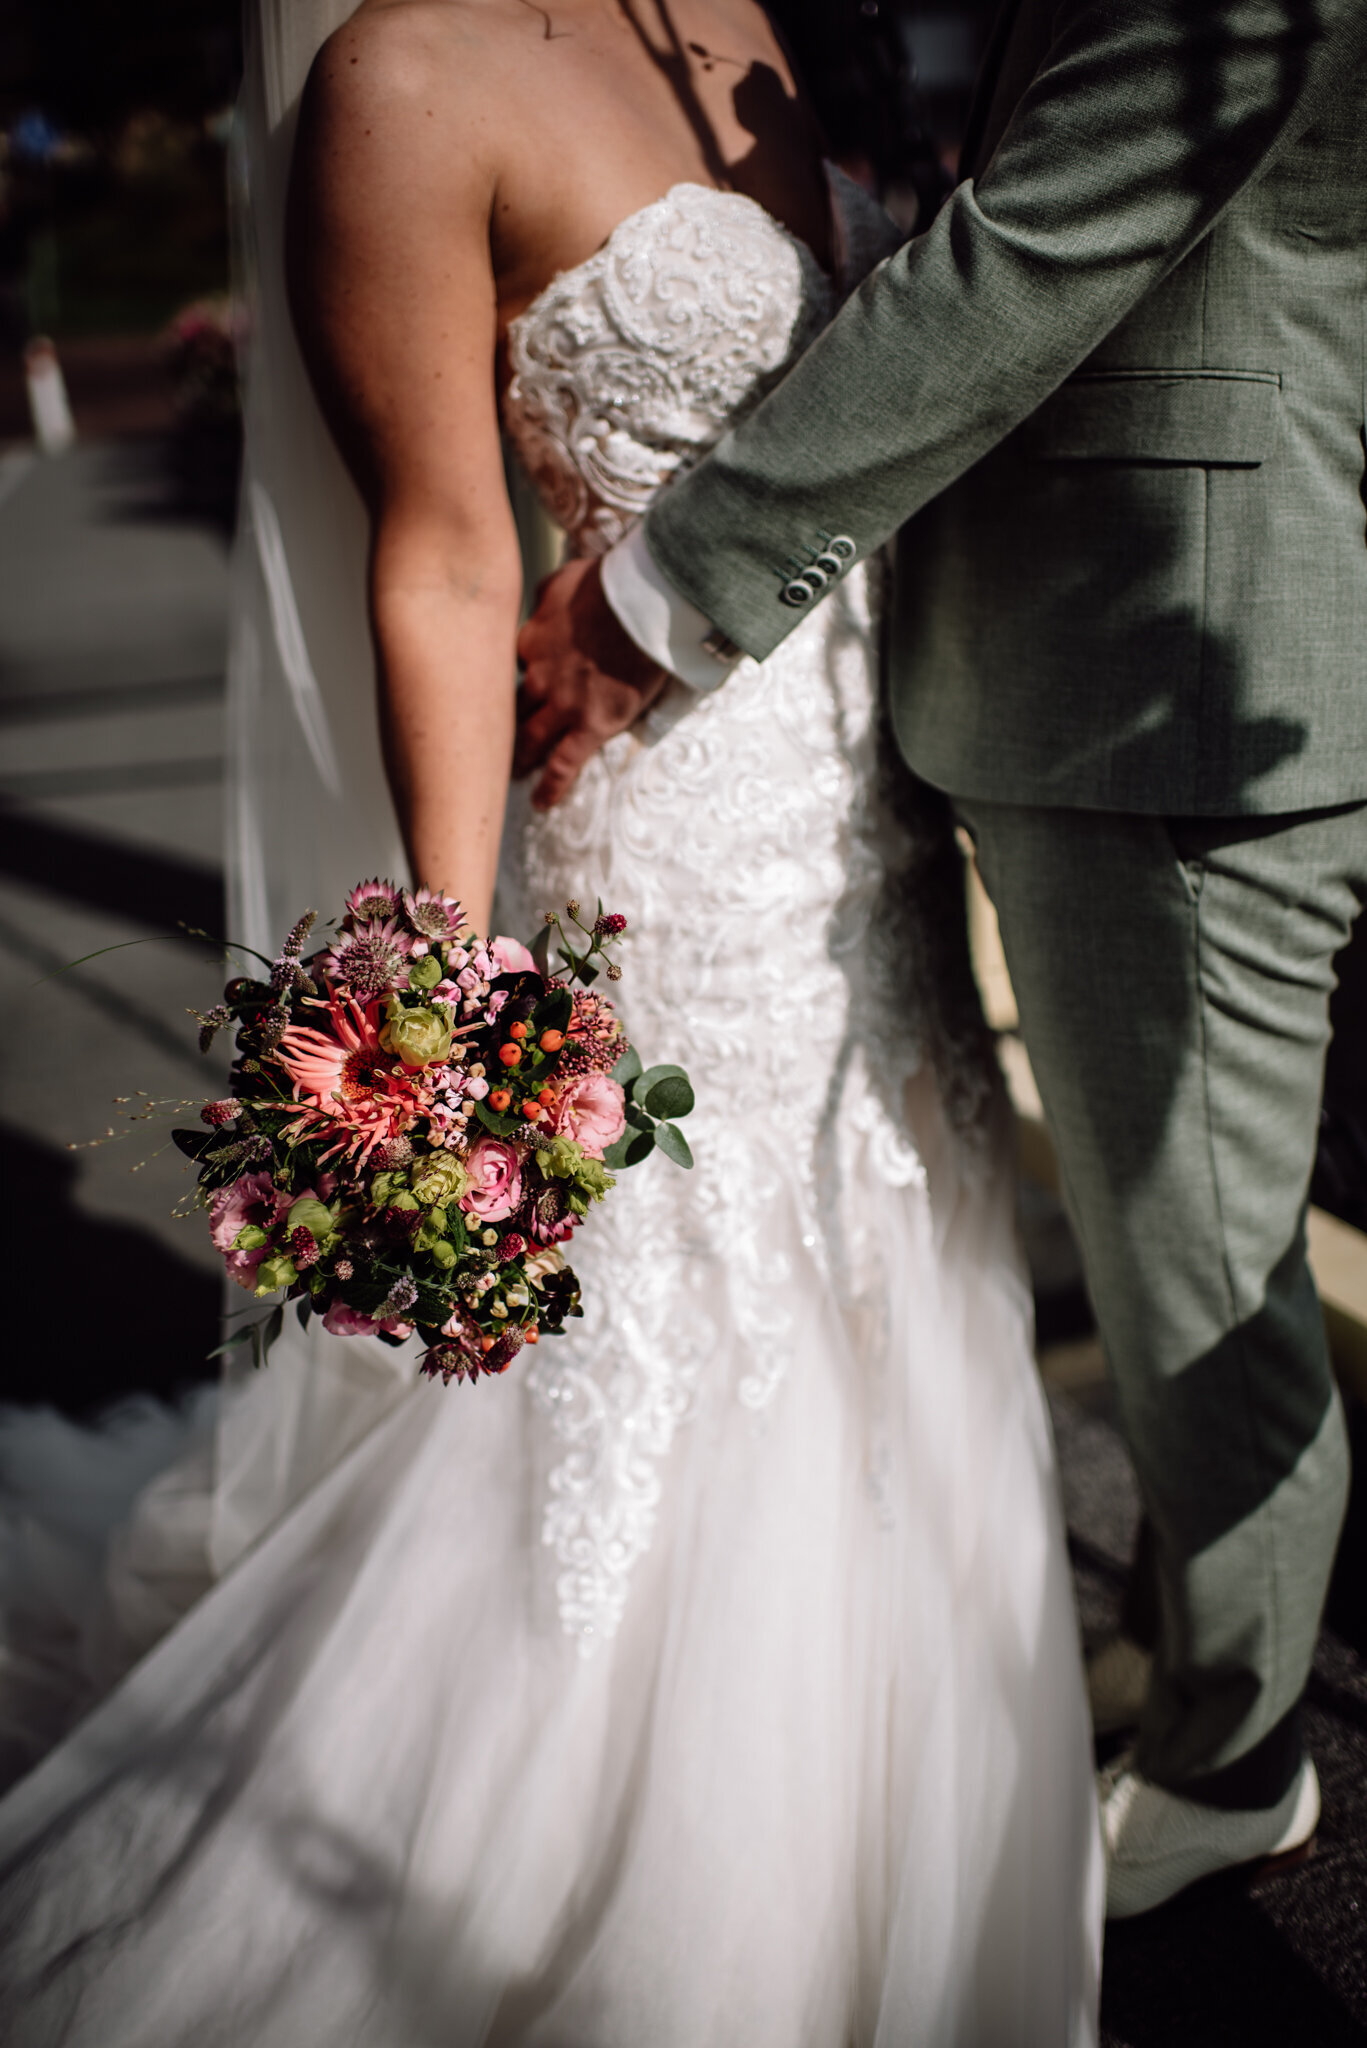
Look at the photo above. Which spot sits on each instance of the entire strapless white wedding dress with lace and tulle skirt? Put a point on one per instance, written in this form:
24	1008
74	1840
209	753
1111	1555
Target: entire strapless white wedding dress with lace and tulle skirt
710	1680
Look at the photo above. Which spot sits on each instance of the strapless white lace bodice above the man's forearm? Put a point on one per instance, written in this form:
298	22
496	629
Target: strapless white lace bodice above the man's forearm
628	368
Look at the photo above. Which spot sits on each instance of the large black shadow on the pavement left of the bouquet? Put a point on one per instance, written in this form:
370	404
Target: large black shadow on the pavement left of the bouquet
106	1310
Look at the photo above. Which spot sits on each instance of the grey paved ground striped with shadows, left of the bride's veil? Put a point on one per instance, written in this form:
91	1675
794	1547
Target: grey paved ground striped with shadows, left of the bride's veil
112	687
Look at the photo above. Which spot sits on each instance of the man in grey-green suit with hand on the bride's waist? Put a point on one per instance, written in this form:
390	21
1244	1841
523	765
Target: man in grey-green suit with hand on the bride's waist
1112	411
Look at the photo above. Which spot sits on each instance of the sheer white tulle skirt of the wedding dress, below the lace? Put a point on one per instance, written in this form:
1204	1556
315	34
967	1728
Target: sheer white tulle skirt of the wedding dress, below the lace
825	1785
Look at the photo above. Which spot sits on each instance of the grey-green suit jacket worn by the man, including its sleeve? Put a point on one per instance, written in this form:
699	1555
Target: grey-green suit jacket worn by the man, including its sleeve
1114	407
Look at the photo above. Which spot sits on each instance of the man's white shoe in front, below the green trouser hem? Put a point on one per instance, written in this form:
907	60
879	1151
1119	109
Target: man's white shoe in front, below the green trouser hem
1159	1844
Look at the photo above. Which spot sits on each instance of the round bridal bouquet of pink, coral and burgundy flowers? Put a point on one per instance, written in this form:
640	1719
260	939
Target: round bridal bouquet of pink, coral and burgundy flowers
419	1123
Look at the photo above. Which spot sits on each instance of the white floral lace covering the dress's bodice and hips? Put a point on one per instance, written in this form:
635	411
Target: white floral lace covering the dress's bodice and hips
790	900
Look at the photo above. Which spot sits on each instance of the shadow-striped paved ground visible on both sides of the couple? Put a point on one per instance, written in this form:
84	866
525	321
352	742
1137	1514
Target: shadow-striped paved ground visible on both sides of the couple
112	656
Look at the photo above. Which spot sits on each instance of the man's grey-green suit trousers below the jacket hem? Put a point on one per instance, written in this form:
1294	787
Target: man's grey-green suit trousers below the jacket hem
1173	984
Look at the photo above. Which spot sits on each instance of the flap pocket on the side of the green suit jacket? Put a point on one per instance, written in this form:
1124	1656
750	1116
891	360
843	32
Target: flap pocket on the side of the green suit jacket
1196	419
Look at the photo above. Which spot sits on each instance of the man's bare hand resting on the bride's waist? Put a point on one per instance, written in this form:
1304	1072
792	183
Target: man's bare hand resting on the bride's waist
583	681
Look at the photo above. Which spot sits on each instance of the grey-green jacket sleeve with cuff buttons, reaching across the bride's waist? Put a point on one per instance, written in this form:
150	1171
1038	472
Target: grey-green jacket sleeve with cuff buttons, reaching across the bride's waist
1143	122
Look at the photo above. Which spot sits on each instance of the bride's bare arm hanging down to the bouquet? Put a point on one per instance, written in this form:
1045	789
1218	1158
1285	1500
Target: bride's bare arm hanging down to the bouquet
395	302
